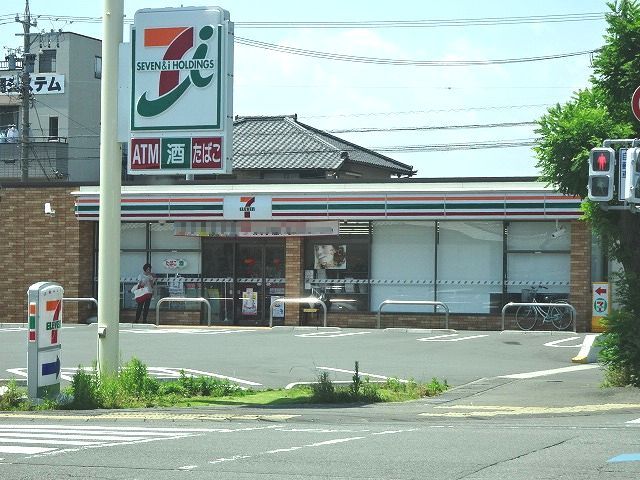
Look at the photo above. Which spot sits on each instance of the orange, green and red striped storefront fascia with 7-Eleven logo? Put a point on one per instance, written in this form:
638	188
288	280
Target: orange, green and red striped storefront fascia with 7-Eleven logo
300	202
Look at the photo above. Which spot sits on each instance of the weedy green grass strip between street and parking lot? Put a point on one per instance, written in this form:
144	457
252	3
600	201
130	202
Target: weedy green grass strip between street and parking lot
134	388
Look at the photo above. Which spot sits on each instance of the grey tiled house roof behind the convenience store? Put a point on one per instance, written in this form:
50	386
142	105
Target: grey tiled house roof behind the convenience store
283	143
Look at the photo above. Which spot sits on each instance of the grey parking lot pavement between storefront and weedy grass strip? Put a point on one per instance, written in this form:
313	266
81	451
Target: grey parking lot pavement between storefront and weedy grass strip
274	358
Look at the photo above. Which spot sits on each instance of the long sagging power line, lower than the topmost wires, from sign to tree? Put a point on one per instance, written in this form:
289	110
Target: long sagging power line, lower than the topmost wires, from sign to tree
403	62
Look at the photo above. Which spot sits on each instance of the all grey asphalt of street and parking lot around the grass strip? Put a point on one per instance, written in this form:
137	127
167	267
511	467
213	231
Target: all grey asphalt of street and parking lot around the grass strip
519	410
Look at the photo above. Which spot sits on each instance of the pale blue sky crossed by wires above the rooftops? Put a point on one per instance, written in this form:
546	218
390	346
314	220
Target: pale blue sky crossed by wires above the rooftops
338	95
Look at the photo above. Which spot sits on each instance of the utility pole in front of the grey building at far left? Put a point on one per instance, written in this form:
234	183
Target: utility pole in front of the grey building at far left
27	65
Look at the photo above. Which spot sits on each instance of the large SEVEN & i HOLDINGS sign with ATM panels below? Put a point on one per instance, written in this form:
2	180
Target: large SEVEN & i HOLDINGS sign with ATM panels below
181	91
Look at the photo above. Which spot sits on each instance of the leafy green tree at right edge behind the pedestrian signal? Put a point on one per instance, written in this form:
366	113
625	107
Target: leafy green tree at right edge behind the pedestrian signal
567	133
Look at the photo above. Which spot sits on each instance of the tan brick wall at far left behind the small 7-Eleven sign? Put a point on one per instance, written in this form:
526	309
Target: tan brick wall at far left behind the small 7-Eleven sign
35	247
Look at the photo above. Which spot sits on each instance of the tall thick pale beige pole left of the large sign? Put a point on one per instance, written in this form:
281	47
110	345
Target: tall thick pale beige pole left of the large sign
110	185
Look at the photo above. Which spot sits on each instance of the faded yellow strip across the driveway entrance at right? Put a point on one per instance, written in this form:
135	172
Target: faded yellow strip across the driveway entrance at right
462	411
